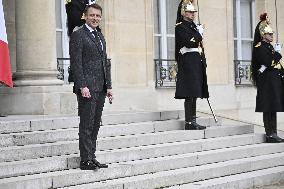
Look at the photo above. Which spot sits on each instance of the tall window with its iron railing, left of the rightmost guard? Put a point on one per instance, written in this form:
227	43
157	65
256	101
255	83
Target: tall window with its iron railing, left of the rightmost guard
244	11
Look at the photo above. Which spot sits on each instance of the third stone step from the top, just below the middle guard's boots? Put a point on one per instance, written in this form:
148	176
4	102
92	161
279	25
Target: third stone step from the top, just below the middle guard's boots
70	147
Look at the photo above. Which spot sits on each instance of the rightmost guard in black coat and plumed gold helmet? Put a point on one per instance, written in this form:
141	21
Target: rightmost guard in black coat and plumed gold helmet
267	75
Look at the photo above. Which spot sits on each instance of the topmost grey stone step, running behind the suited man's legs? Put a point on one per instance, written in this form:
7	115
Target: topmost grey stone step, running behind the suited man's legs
12	124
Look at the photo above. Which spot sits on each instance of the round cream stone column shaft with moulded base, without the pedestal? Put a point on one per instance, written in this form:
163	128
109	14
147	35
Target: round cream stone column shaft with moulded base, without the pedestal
36	43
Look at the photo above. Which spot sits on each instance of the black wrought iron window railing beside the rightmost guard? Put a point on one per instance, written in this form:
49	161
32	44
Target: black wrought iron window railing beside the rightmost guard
242	73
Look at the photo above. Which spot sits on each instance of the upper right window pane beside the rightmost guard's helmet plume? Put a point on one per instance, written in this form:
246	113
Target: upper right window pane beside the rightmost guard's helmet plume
246	19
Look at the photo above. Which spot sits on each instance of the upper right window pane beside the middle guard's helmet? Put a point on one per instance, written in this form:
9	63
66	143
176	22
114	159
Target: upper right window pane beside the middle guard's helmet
172	6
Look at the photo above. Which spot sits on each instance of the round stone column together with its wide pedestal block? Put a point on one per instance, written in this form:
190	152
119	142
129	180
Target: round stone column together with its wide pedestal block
37	89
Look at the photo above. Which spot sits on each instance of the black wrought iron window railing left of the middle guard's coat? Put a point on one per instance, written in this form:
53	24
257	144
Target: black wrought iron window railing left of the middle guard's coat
166	71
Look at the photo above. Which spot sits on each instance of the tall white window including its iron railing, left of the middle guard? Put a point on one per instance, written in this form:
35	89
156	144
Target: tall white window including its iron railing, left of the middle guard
165	12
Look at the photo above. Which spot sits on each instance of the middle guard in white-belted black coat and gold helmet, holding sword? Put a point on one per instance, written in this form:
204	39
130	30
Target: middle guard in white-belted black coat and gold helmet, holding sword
191	77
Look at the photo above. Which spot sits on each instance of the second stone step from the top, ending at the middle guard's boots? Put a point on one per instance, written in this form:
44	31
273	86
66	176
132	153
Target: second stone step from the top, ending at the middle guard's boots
48	136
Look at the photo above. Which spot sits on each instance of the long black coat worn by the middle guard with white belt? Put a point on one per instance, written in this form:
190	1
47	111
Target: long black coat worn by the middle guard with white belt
191	76
